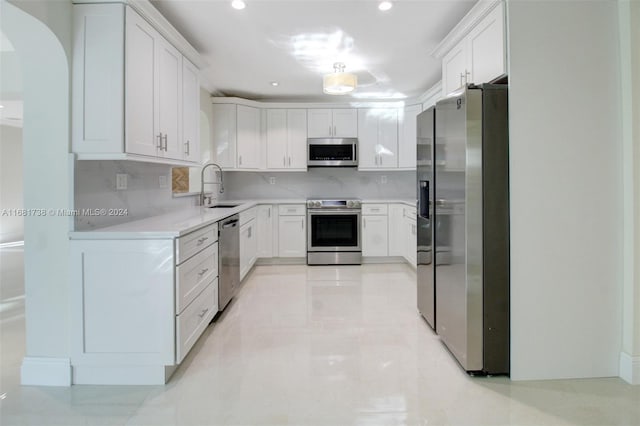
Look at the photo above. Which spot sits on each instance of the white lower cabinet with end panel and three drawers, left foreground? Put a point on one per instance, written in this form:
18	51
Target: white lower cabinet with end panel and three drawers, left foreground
139	305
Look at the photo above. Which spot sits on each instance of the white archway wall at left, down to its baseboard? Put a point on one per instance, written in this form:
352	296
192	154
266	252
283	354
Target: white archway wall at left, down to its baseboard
47	181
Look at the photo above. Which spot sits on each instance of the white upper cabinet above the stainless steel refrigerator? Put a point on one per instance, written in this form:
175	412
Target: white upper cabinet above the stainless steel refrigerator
479	54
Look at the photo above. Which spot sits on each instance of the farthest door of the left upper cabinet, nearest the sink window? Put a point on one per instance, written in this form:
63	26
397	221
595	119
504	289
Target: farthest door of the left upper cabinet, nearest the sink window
190	111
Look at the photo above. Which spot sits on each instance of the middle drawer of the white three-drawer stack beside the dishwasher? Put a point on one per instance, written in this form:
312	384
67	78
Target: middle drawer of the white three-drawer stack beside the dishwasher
194	274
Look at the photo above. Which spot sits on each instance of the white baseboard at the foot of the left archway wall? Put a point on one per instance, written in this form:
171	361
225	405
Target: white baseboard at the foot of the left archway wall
39	371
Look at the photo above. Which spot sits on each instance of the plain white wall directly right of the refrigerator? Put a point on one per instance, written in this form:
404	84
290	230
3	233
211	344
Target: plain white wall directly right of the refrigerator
566	198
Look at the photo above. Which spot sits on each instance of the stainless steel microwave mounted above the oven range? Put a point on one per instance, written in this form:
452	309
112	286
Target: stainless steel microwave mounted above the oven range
332	152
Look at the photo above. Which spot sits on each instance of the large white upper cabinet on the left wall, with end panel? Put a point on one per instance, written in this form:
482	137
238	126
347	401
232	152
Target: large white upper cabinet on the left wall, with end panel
134	95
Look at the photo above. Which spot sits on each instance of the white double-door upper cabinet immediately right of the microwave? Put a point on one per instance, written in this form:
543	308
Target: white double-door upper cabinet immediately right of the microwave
378	138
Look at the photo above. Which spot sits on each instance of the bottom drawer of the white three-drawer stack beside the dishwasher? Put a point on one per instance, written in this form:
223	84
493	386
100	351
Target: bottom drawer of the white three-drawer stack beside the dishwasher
192	322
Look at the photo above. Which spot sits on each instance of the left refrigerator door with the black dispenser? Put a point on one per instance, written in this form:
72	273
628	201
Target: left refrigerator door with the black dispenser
425	188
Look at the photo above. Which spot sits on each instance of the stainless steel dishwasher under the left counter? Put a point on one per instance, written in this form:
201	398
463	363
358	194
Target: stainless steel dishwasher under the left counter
229	260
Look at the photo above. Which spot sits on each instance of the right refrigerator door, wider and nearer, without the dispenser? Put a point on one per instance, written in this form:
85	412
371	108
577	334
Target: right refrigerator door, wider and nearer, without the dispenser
458	230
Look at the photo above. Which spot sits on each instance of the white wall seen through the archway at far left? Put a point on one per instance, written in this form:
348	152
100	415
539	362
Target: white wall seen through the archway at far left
11	226
